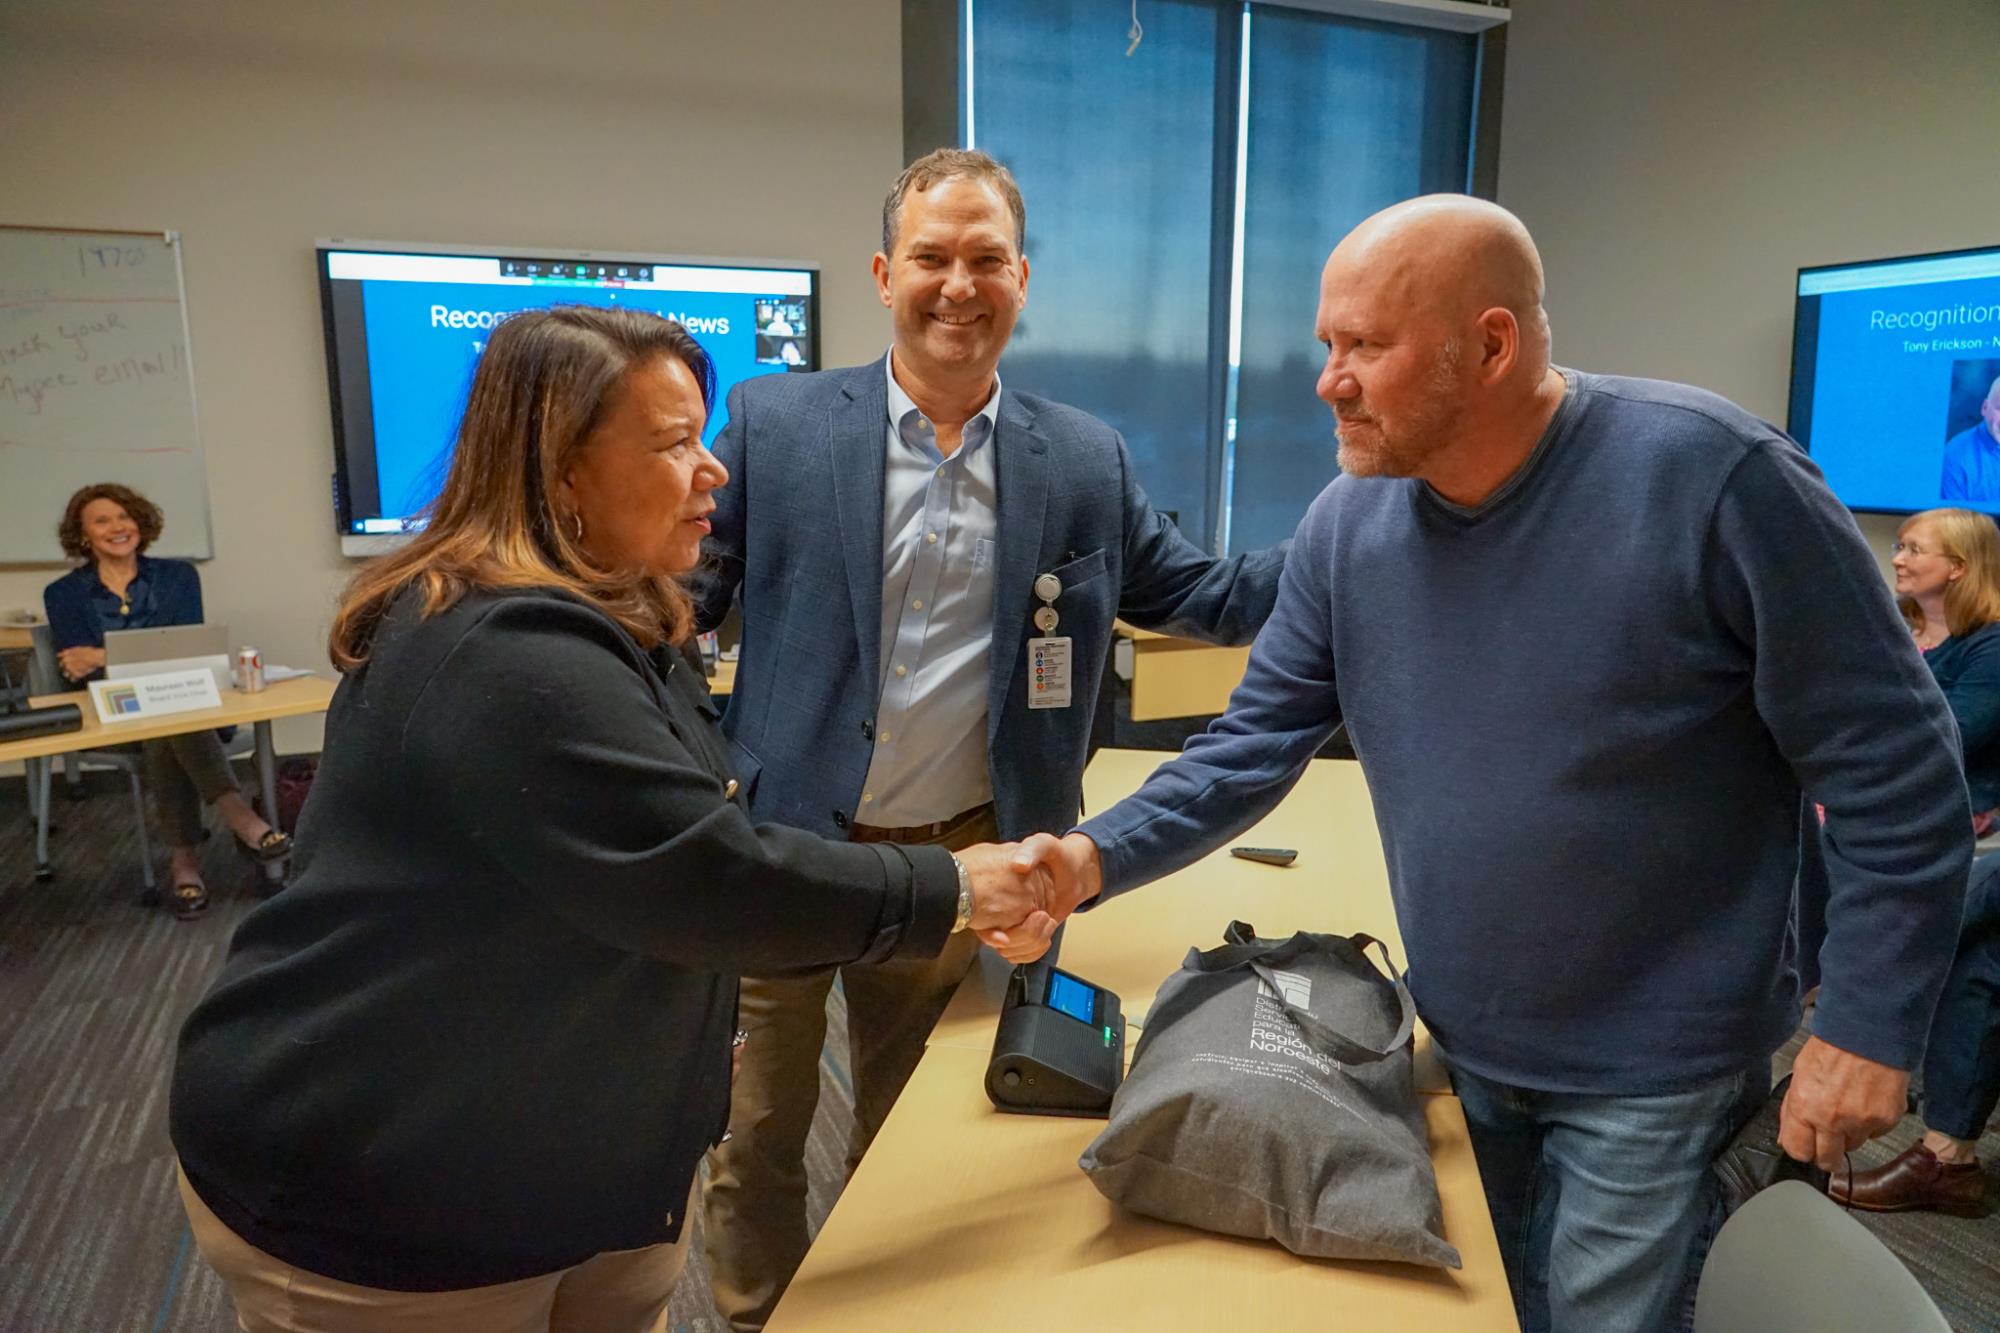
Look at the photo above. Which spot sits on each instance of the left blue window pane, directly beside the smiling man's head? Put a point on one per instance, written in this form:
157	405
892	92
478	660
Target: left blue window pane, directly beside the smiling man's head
1115	159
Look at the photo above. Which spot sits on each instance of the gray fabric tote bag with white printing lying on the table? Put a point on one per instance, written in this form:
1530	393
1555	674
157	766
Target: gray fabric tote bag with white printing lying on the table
1271	1096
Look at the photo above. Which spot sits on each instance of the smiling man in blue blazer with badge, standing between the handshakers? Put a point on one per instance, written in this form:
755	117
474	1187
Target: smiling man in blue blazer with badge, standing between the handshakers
895	533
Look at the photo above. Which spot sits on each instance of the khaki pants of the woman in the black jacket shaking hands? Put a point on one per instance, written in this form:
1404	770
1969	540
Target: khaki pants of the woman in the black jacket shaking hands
617	1292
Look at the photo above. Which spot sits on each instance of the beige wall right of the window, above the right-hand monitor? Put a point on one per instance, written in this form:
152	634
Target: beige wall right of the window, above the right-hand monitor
1677	161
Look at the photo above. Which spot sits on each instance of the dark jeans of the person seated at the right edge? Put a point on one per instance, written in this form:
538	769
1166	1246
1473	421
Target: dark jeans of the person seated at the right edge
1963	1060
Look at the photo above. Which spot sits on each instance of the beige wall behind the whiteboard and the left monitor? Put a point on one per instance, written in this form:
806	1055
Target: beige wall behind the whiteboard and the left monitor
759	129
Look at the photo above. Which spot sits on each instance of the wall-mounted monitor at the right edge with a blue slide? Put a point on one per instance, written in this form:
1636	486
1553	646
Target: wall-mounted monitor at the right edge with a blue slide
1897	381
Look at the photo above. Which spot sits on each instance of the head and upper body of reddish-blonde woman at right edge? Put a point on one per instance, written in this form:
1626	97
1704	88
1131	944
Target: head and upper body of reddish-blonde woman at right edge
1949	587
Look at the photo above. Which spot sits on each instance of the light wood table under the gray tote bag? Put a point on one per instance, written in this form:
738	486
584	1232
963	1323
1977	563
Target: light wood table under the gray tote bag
967	1220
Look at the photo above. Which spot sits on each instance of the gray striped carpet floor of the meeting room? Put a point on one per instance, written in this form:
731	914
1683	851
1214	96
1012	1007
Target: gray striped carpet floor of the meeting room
93	992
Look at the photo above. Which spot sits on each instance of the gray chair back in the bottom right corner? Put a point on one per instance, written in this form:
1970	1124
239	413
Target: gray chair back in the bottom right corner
1793	1262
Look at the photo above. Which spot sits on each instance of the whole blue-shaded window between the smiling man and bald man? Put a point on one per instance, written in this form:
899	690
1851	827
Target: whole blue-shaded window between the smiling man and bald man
1181	203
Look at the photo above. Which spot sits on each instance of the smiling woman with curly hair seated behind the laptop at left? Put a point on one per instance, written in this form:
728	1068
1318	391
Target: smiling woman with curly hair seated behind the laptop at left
121	587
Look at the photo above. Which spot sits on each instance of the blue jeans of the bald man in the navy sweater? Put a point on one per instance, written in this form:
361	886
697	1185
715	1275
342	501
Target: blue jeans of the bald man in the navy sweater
1605	1206
